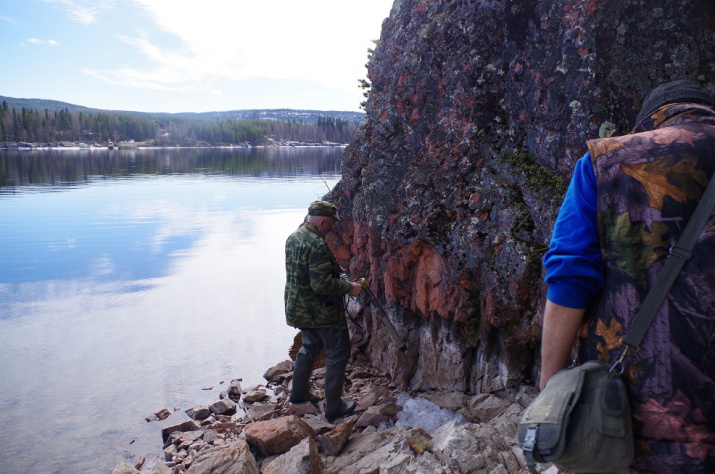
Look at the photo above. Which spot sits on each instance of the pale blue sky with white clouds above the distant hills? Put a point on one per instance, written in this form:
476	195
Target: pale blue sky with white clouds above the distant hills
189	56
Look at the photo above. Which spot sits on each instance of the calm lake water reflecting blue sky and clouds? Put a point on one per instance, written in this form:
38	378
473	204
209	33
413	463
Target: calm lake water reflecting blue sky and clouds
132	280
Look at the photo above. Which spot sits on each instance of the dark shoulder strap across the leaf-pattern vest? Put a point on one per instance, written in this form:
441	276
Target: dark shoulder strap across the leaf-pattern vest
679	254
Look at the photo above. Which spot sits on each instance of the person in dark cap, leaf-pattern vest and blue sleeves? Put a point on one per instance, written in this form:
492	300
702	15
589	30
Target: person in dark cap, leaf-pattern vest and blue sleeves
629	200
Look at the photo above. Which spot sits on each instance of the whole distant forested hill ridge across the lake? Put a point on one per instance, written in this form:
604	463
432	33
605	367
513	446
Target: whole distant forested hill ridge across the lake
40	120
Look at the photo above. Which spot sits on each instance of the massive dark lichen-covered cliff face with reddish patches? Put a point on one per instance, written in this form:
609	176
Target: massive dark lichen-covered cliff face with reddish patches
477	113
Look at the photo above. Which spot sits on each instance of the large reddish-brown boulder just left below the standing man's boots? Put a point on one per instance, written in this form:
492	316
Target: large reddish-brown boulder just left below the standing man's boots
277	436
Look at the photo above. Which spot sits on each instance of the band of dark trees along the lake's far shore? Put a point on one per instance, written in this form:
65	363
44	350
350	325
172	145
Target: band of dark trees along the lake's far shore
35	126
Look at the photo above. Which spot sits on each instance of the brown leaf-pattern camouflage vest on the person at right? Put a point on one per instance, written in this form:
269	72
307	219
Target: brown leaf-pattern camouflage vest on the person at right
648	185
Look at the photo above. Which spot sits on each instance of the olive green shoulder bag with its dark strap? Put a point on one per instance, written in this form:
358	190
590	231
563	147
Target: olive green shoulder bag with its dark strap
582	418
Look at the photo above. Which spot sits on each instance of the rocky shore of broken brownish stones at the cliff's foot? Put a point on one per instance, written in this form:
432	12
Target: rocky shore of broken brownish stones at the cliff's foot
256	430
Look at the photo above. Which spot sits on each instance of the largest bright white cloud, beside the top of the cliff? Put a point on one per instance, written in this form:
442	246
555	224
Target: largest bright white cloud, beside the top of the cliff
325	41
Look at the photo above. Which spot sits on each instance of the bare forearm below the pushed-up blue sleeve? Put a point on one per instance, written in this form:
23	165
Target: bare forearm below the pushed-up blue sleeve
561	325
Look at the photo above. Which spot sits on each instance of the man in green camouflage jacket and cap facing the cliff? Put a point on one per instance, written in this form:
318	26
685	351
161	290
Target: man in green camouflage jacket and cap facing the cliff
314	303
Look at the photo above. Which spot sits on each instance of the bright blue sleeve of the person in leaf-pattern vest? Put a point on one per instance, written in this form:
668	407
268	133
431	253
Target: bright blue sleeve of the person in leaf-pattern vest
574	267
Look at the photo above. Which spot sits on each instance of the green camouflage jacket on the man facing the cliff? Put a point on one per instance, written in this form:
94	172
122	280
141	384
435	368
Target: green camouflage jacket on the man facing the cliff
314	290
